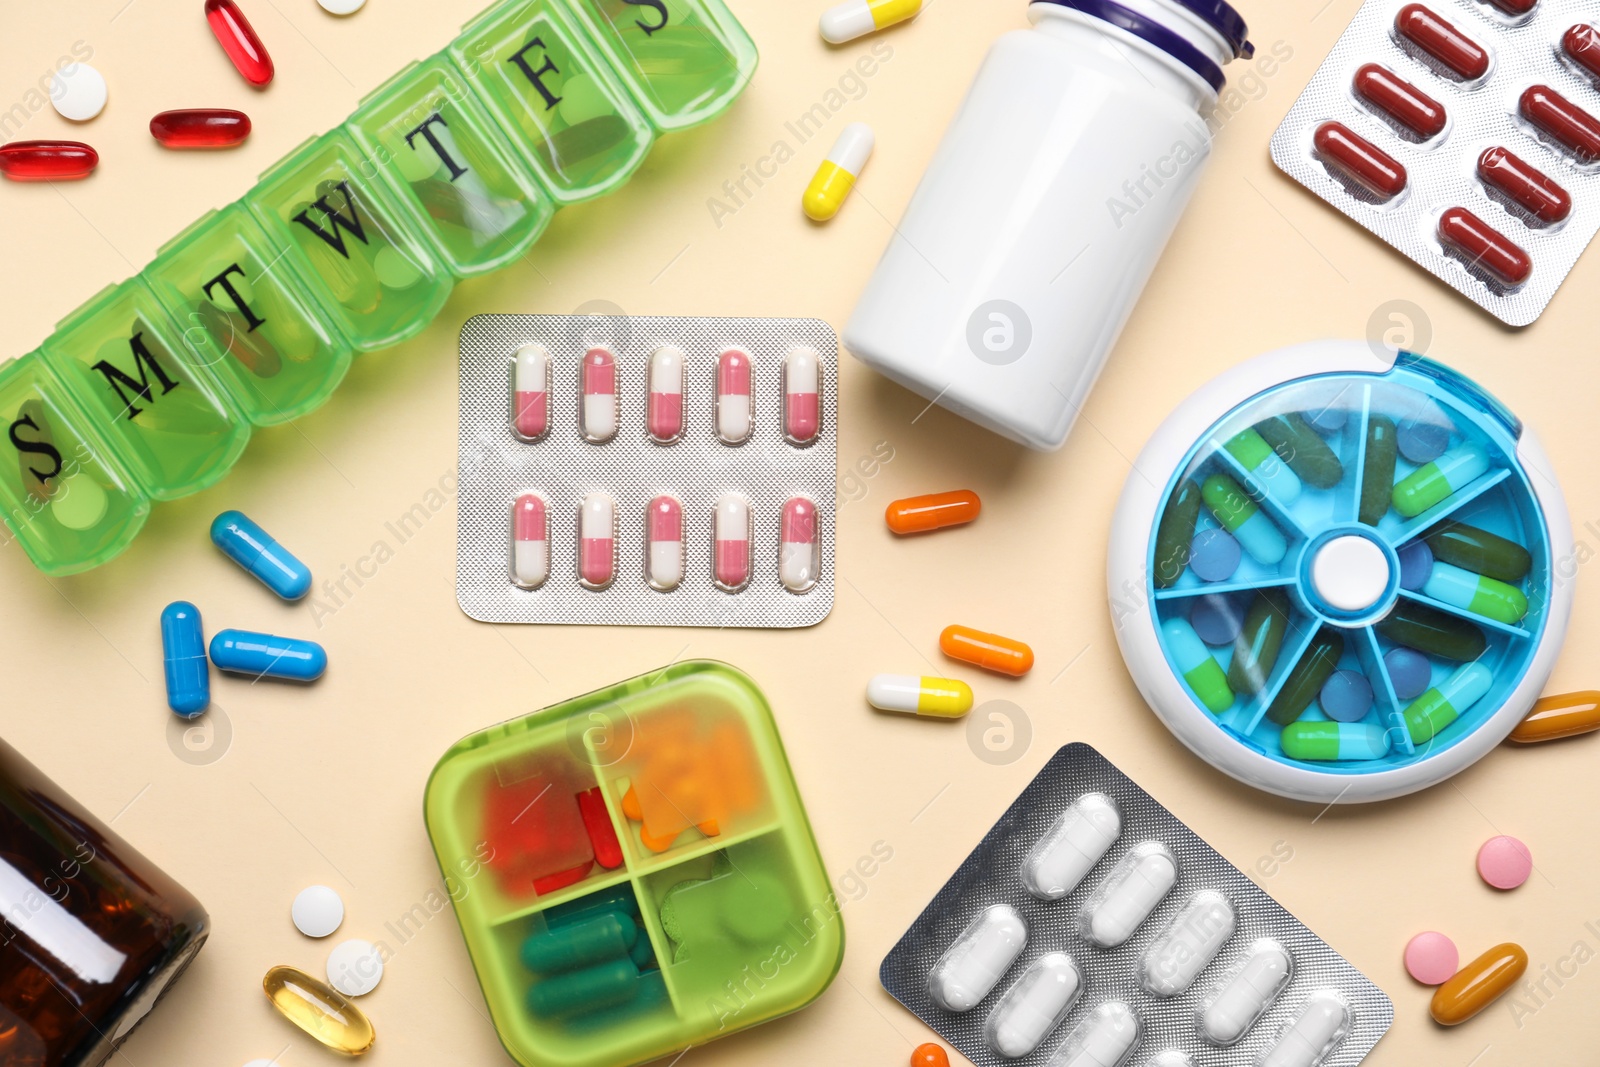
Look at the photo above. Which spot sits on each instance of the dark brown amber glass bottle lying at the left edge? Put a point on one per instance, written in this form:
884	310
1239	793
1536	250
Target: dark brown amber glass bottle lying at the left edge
92	933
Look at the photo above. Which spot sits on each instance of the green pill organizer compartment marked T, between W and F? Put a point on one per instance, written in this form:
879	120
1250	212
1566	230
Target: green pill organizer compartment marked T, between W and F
450	169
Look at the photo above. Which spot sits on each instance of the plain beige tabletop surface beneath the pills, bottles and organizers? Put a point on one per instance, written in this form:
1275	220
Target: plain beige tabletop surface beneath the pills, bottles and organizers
326	785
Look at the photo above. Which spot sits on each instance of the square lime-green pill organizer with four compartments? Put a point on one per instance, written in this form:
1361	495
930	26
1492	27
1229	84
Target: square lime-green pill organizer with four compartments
634	871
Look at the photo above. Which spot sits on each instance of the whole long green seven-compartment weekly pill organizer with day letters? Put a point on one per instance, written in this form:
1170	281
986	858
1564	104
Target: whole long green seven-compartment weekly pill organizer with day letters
350	244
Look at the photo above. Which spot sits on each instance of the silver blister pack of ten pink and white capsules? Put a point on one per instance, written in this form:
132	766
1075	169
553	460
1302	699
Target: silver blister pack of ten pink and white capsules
647	471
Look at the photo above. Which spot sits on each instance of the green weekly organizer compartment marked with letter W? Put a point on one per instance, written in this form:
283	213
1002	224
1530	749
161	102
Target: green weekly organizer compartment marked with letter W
351	242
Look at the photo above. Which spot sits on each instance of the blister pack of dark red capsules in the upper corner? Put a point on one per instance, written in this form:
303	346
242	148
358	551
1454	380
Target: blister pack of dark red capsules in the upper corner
1466	134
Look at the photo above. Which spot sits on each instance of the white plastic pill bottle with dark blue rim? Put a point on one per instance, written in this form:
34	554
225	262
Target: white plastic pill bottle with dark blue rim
1046	209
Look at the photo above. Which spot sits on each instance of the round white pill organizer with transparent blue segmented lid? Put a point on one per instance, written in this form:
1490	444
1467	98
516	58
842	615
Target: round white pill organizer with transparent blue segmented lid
1238	457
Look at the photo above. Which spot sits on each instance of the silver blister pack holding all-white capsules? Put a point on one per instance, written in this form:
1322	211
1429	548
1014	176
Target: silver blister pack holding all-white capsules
1092	929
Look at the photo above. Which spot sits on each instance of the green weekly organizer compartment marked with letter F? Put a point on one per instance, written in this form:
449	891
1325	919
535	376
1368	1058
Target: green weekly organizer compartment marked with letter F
556	98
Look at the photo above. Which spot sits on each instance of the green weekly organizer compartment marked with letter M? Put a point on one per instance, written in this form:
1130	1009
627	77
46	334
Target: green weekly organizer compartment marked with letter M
162	414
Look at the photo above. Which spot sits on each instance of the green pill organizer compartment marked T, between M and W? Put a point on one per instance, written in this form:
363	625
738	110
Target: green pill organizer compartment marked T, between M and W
249	319
